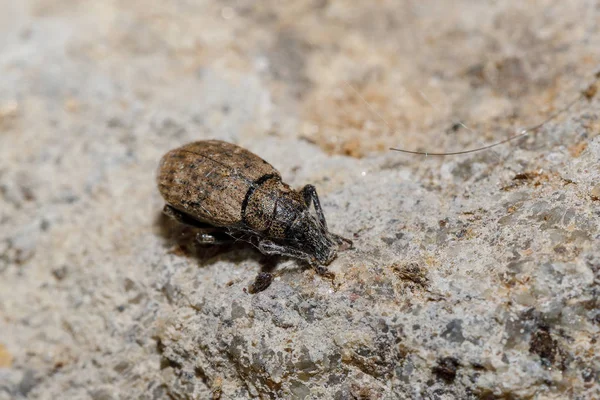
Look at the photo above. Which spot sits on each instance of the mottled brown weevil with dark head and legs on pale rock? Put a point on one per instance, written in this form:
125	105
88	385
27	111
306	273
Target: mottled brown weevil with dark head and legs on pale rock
223	188
